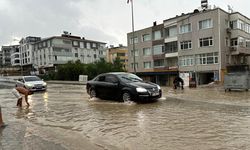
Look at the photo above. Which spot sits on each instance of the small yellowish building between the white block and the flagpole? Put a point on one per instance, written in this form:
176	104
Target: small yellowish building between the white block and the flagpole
121	52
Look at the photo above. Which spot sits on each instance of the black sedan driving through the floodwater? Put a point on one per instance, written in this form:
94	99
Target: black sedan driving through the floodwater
123	86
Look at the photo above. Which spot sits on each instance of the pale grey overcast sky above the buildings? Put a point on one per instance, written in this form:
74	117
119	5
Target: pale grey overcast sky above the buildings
102	20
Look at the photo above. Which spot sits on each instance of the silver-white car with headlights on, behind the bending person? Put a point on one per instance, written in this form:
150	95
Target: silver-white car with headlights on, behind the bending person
32	83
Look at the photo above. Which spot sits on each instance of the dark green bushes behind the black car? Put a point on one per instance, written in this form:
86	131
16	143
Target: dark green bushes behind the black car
72	70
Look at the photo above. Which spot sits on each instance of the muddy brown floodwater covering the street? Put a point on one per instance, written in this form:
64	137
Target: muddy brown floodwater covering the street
64	117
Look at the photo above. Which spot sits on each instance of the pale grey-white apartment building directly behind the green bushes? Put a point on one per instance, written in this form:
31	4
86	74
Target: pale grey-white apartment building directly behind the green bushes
57	50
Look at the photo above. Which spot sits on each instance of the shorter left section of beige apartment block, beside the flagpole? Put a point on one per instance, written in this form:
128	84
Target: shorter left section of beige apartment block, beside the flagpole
149	55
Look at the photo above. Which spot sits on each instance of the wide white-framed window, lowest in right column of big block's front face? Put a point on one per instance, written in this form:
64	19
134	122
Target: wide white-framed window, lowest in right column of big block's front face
207	58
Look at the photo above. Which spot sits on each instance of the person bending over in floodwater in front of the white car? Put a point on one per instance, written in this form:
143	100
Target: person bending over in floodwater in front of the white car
21	90
